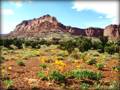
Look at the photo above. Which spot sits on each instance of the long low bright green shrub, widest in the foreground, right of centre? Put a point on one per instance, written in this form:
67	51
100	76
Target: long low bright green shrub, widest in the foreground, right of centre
85	74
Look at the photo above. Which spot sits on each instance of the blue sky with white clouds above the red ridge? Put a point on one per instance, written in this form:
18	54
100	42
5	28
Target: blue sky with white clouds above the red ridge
80	13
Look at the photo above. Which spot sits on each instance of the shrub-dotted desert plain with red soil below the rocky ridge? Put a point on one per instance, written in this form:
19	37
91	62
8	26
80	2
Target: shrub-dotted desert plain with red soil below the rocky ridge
71	63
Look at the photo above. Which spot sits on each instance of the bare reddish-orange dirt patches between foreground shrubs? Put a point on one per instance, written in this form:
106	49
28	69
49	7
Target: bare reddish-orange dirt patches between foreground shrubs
26	76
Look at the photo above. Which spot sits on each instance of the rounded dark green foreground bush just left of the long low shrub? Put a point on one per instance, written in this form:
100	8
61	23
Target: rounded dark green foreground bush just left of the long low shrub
57	76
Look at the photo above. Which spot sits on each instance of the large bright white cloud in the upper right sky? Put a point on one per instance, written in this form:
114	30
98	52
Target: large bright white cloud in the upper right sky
108	8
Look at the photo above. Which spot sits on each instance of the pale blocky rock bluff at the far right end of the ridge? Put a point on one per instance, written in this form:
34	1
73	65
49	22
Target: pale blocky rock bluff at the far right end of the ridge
112	32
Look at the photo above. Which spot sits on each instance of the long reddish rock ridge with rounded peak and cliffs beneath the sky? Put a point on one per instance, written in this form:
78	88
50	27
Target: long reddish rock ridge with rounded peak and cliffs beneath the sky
48	24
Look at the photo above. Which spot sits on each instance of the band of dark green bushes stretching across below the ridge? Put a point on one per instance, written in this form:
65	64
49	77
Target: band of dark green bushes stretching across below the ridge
82	43
